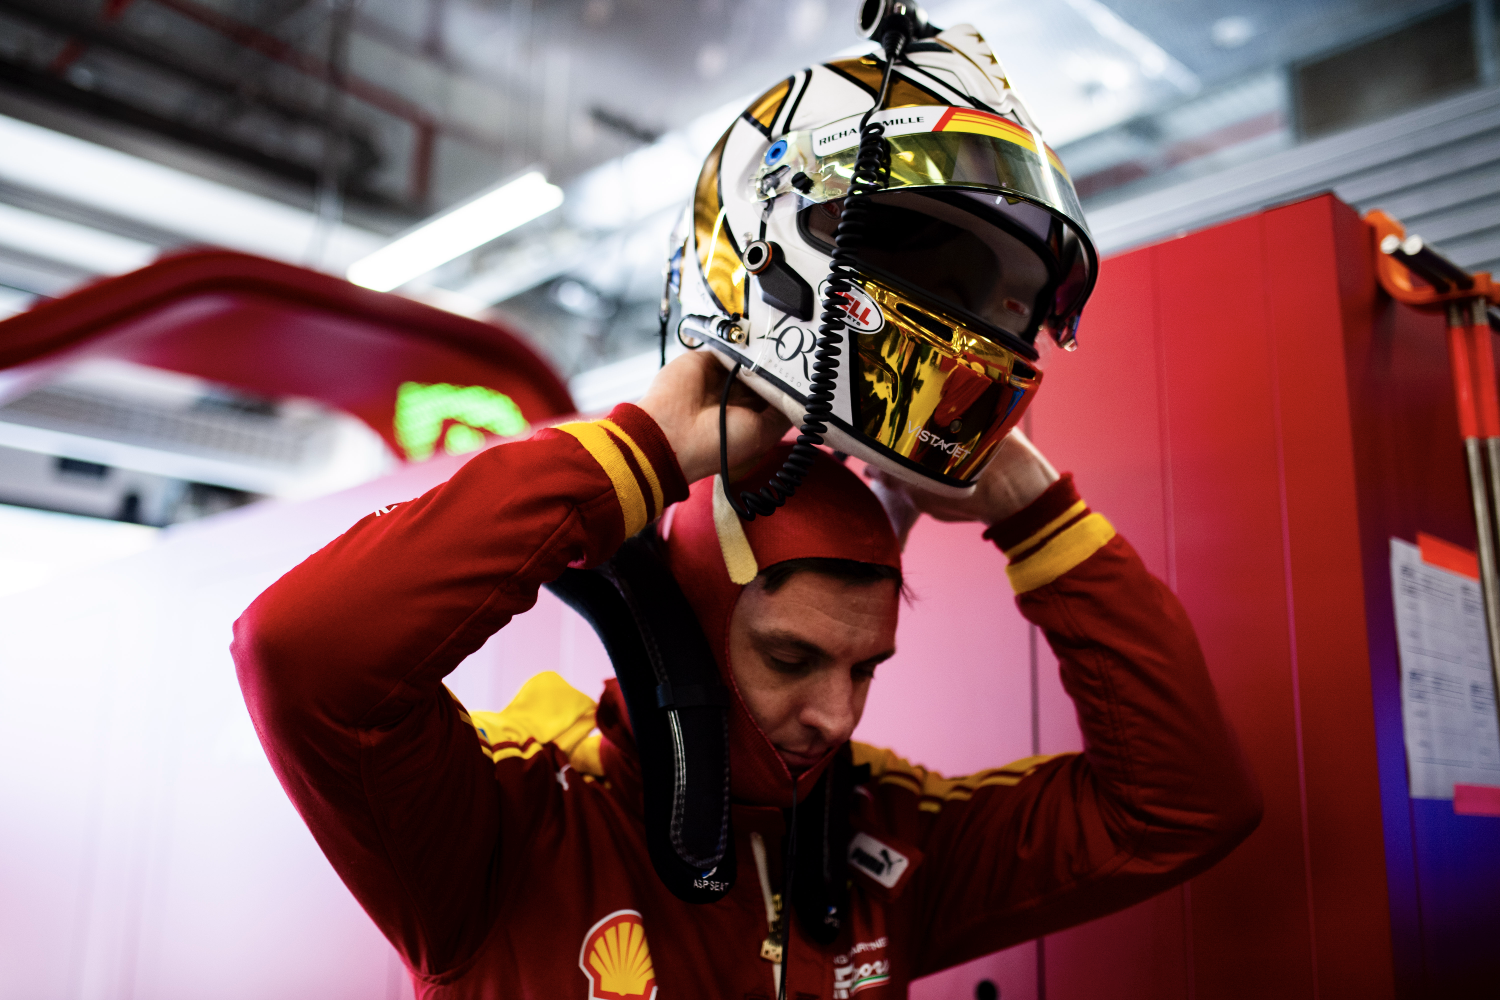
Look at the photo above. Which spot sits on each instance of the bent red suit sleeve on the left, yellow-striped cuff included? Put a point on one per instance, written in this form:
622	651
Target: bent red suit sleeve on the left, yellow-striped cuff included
343	665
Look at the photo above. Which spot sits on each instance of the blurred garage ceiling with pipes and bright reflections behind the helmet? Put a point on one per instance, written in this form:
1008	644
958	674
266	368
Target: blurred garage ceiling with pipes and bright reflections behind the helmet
367	116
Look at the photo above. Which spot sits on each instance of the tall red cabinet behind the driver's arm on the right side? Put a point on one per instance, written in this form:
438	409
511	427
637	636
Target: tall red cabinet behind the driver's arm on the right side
1259	421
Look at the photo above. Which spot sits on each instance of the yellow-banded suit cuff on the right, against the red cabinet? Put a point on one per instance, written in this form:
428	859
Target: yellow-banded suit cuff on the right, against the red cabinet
1049	537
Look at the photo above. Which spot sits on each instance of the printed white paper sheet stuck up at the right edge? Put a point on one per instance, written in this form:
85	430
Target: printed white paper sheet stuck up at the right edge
1448	698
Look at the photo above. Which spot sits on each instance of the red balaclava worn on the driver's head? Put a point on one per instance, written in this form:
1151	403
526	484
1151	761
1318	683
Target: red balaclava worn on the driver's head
833	516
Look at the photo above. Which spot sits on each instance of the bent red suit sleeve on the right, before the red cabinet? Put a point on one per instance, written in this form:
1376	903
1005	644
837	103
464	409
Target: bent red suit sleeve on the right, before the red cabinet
1160	792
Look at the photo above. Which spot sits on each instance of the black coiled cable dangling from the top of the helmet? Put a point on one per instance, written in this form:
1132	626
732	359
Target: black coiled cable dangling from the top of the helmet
871	175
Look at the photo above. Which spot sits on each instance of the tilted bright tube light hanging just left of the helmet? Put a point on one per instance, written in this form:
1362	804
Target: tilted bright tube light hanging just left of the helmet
457	232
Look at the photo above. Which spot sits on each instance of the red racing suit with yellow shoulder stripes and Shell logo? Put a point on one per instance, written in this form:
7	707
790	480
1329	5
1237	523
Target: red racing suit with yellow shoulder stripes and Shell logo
503	854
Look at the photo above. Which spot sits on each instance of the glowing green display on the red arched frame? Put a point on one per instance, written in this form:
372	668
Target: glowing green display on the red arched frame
424	412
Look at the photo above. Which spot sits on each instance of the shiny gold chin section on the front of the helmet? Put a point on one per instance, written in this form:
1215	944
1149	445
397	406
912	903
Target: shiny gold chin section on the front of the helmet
937	395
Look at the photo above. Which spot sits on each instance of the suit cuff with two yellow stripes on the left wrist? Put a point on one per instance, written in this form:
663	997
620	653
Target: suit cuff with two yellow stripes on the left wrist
640	463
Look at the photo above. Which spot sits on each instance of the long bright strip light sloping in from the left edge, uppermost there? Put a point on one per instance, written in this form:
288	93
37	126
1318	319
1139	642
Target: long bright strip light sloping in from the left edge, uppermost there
167	199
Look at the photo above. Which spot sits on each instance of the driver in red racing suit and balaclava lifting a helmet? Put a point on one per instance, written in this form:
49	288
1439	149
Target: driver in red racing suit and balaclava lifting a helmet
503	854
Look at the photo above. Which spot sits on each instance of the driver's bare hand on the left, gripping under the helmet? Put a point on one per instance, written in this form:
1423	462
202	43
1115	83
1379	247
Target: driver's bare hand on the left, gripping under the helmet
685	403
